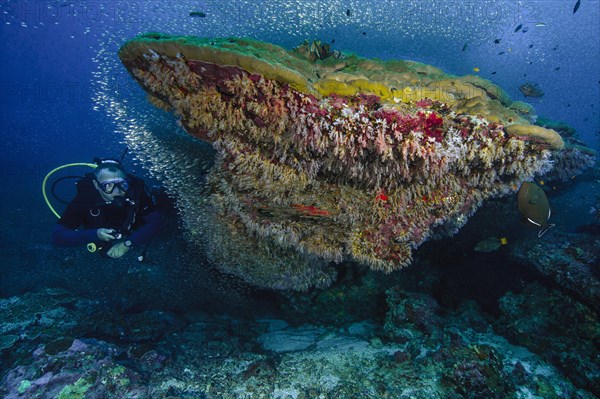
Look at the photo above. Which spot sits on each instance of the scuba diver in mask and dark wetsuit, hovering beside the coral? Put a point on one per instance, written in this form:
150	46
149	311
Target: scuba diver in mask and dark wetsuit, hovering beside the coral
111	210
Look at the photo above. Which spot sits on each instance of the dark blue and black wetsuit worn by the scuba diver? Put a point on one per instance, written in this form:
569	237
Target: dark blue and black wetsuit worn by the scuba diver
89	211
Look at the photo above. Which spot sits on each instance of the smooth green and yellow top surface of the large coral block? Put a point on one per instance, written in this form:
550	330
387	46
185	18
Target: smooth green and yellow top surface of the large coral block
313	69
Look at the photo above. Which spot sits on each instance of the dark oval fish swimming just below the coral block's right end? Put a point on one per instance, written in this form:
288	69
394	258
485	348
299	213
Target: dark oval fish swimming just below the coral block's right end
534	207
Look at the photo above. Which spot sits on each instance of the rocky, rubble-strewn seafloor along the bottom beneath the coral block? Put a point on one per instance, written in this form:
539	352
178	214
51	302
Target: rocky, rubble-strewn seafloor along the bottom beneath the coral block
57	345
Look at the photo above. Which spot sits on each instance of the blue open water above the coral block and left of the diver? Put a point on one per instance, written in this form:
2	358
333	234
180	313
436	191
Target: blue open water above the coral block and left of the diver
56	54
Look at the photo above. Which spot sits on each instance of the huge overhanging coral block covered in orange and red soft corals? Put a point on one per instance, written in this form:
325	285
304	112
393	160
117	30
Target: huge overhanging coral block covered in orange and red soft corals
340	158
